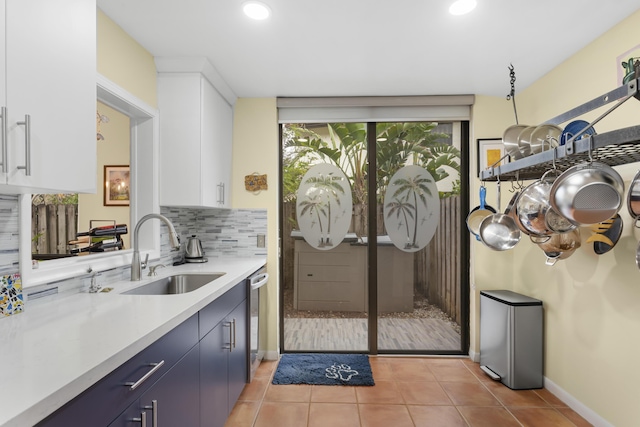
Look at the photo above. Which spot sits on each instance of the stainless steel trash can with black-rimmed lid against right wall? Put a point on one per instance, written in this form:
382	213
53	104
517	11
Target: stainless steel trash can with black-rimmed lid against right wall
511	339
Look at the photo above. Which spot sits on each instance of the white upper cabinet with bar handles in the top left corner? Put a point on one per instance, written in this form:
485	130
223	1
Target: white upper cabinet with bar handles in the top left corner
48	80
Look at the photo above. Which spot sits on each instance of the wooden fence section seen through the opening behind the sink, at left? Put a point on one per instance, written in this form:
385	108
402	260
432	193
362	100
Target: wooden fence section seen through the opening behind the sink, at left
52	226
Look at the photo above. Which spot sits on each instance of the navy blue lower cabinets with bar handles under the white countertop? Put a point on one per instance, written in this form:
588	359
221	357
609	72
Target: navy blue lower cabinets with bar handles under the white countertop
190	377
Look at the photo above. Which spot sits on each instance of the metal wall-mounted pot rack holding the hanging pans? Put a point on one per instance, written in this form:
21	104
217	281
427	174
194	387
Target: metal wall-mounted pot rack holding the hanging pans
613	148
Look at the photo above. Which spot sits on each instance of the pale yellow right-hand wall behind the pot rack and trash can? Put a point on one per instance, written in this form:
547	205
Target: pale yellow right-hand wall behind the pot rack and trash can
592	302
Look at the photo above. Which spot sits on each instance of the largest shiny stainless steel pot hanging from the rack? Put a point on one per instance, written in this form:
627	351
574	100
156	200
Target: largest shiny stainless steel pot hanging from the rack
588	193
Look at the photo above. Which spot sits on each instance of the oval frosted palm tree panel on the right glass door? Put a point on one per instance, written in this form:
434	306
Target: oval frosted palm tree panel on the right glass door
411	208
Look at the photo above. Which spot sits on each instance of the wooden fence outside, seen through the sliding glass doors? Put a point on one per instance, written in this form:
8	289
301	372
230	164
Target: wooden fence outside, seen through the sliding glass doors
436	267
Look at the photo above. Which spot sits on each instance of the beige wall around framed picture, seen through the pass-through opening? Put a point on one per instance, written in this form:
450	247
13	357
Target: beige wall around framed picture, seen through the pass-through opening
113	150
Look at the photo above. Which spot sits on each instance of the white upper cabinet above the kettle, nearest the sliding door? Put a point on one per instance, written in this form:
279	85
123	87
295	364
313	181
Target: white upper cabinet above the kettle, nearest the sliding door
196	125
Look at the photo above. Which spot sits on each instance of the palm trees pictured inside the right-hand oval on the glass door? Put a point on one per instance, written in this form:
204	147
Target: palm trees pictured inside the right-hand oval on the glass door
415	188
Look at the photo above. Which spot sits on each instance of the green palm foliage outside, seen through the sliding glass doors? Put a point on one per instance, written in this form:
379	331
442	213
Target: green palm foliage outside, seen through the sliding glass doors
345	145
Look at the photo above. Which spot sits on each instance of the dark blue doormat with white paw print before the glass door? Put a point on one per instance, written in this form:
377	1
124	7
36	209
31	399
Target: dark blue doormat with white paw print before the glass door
324	369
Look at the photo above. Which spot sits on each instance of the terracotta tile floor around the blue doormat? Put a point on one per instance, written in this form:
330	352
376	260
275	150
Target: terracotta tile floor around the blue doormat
411	392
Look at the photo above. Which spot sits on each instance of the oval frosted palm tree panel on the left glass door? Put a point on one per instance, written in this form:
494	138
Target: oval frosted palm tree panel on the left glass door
323	206
